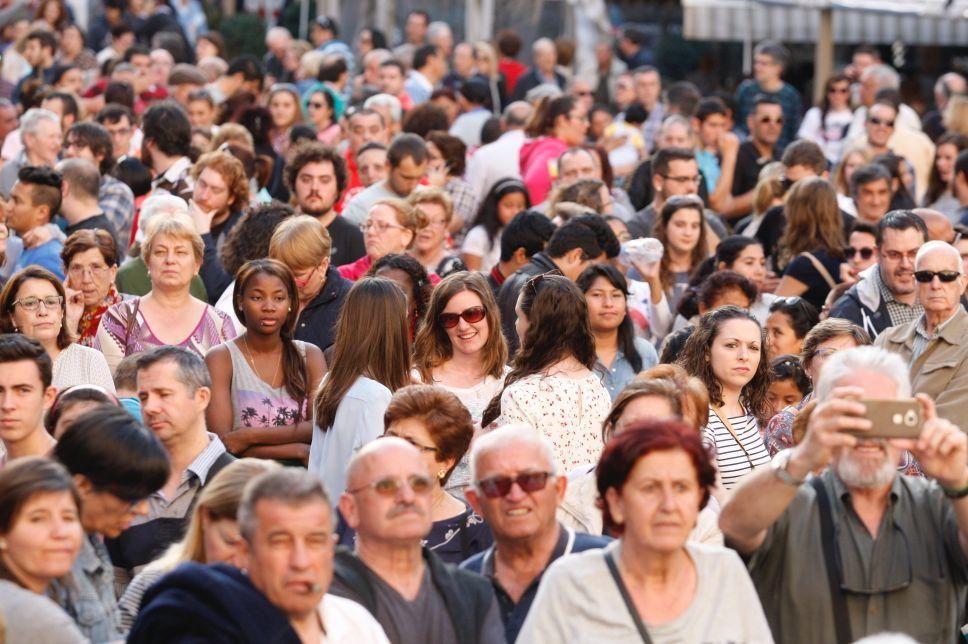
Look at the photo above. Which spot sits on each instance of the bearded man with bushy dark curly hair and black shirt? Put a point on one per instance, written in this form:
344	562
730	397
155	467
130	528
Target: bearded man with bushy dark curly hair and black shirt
315	177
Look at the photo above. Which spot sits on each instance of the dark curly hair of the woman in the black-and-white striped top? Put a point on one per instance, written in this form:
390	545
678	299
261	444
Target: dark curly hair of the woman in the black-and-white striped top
696	353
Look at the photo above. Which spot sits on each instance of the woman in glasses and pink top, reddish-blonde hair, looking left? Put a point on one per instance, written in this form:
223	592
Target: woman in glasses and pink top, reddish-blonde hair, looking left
391	227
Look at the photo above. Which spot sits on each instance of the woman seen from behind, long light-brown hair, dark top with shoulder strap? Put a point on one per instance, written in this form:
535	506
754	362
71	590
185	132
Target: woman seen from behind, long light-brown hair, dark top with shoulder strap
812	245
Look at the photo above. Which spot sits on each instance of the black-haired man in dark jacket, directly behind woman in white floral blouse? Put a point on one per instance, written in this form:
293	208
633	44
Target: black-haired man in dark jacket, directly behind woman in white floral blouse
583	241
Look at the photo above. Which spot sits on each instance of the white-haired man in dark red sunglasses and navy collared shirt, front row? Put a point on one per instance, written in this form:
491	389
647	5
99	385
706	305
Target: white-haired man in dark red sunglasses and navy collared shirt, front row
517	491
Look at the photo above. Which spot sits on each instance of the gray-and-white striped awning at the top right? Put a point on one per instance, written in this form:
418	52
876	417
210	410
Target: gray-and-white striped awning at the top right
914	22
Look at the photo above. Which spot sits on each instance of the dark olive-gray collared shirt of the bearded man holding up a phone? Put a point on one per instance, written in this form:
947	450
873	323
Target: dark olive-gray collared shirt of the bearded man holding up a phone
911	578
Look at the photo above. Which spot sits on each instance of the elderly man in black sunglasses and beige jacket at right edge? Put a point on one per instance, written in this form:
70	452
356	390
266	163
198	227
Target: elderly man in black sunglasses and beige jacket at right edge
936	344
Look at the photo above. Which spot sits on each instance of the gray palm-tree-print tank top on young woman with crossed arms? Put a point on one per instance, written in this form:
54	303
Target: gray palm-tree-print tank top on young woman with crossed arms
254	402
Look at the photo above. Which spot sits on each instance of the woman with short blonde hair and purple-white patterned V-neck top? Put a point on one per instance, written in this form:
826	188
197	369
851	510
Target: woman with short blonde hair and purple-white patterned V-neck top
168	314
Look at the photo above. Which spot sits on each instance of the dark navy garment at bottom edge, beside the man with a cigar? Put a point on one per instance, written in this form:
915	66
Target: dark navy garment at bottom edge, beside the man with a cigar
210	604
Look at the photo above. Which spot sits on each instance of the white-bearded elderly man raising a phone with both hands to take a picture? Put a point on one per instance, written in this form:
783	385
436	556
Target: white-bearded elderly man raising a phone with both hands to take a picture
892	547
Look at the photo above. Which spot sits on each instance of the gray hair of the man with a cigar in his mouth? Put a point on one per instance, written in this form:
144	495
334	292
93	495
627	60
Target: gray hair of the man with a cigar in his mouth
291	486
